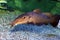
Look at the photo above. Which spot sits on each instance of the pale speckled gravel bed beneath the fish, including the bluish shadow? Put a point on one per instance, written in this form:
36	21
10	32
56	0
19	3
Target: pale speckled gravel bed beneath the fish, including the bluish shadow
26	31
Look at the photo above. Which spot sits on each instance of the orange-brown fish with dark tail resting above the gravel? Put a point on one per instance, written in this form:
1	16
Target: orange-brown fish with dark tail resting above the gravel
36	18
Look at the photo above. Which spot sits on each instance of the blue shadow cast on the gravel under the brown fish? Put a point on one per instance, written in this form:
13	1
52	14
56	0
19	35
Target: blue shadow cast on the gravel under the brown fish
43	29
